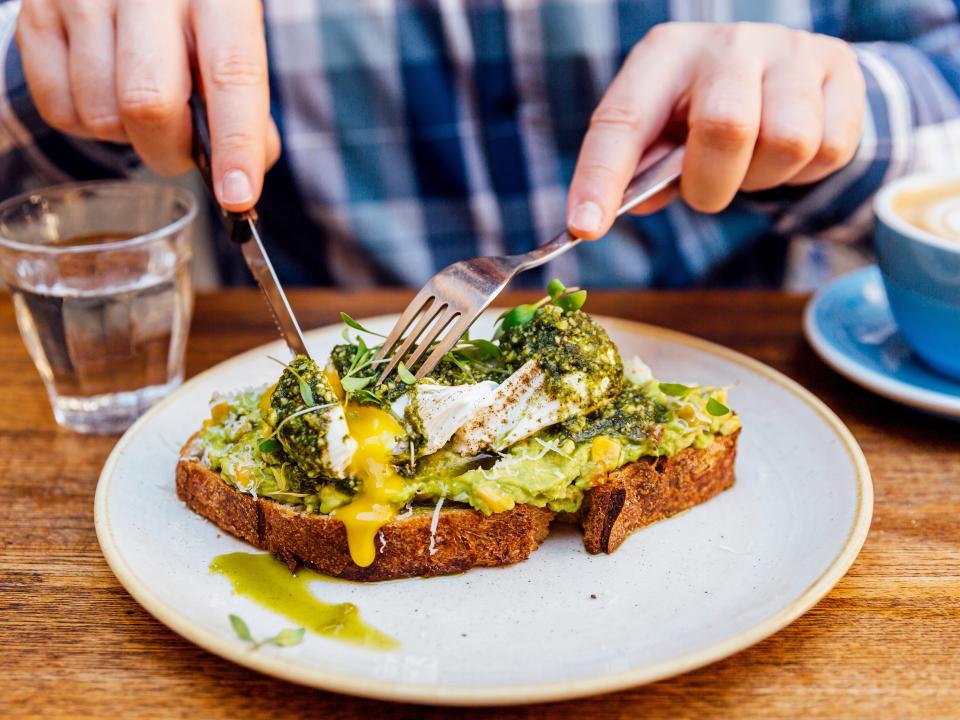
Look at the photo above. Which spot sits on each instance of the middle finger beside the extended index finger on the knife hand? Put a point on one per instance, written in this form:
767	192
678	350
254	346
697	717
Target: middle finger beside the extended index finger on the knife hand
153	84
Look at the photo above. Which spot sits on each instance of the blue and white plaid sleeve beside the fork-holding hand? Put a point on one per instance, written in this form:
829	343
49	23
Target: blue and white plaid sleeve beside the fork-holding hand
910	60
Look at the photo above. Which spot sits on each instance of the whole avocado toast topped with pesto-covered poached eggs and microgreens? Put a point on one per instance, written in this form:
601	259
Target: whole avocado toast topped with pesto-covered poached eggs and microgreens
467	467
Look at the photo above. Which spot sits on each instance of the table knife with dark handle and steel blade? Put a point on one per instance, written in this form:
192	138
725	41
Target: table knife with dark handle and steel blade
242	229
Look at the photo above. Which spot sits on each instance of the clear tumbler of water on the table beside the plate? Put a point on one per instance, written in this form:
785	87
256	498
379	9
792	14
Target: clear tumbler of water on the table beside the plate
100	278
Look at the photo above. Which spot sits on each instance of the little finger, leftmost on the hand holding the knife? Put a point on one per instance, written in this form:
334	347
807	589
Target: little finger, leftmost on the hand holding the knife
43	51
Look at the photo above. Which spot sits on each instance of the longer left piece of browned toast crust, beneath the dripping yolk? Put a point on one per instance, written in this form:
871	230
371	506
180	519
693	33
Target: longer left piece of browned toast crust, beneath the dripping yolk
464	538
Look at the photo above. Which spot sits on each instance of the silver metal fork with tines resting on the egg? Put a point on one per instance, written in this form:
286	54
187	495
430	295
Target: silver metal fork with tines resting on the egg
461	291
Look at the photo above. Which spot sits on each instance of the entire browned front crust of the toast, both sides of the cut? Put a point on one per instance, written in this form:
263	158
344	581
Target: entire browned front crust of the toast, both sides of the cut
632	497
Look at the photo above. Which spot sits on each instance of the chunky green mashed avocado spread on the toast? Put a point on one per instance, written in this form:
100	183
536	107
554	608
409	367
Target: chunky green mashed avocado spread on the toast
551	469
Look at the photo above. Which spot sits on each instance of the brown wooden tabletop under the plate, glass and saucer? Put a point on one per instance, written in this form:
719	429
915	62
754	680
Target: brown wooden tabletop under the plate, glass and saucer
884	643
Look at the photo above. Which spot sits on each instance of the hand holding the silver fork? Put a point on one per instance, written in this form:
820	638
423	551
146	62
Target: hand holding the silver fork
760	106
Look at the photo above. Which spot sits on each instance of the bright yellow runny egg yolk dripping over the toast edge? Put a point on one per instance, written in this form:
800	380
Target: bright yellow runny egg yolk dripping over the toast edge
376	433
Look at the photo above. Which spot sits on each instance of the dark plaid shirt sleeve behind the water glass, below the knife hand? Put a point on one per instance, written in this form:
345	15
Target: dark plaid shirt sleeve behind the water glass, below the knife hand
31	152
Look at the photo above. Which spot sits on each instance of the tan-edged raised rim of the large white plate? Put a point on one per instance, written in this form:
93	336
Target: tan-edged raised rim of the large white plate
283	669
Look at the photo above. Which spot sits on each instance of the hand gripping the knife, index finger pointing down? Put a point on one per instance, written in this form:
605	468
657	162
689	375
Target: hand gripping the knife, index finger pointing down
119	70
